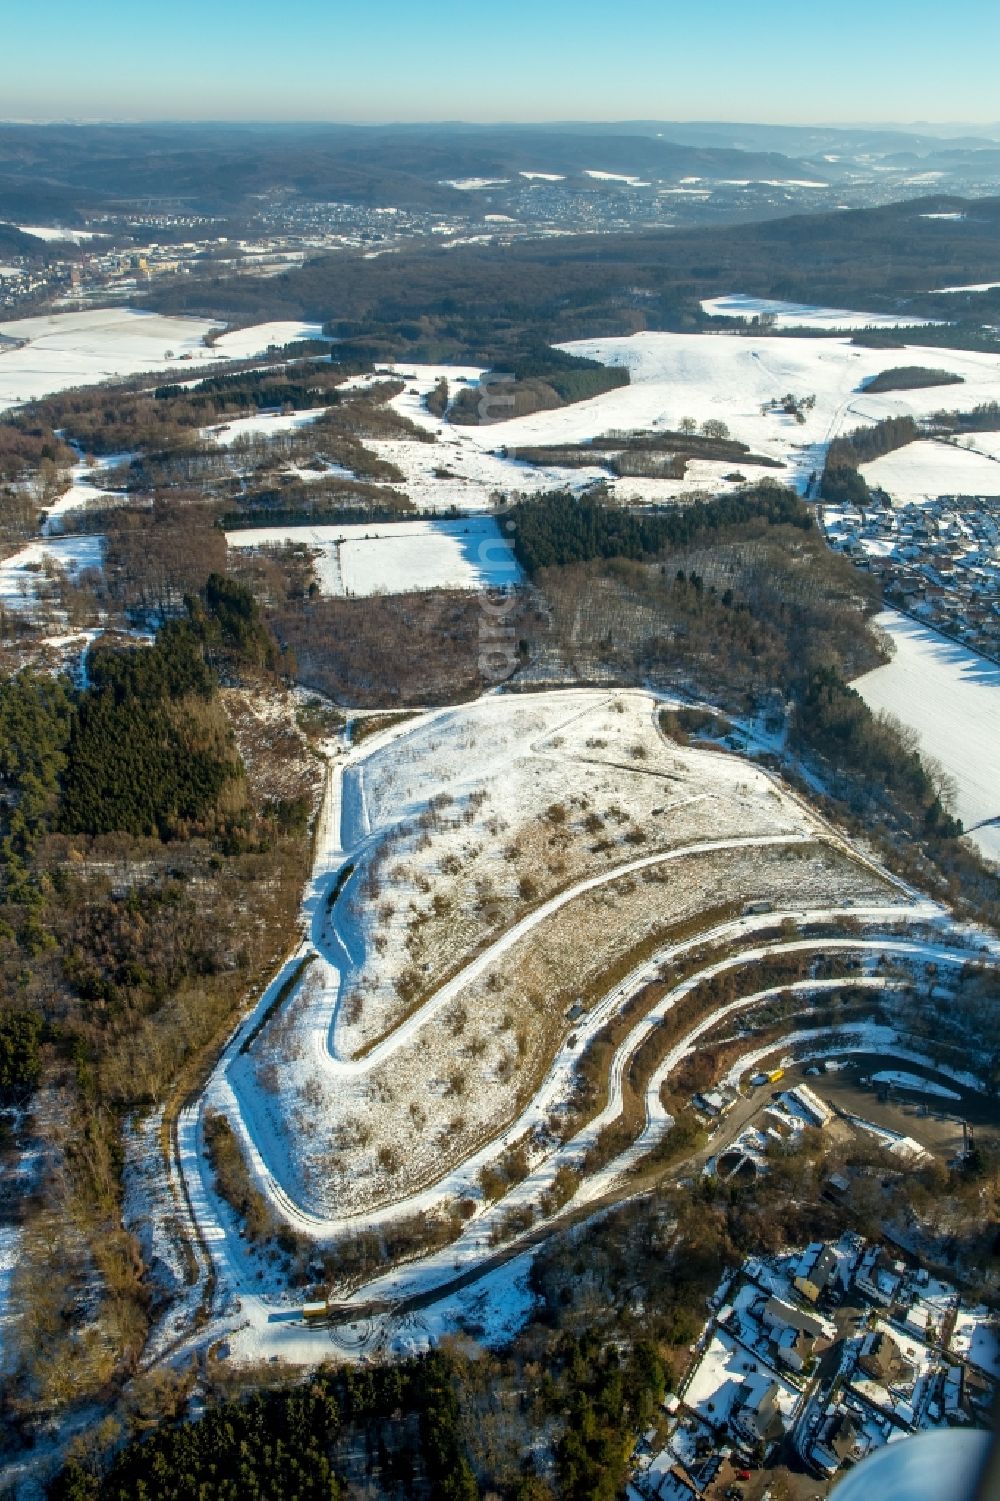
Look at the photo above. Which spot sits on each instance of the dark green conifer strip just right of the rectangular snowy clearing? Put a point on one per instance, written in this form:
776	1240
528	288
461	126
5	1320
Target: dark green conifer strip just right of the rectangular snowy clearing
561	529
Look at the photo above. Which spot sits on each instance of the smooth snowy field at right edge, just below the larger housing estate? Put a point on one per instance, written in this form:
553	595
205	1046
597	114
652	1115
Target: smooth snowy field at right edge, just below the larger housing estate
951	699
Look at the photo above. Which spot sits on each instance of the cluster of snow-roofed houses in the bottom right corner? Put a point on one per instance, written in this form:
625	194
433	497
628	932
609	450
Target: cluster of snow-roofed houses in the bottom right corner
824	1355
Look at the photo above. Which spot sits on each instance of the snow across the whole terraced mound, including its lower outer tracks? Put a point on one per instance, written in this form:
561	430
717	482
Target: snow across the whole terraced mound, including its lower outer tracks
285	1113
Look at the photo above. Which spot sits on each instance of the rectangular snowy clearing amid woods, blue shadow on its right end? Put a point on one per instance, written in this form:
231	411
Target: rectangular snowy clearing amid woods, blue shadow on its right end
397	556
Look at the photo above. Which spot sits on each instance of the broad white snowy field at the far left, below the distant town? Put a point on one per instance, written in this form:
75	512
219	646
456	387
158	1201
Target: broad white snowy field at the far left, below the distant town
82	349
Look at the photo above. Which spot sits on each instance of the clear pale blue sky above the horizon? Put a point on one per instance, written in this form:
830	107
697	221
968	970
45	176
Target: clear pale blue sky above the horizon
501	61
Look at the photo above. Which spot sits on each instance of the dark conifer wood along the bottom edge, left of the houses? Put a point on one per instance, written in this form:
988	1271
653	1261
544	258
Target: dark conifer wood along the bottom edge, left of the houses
292	1443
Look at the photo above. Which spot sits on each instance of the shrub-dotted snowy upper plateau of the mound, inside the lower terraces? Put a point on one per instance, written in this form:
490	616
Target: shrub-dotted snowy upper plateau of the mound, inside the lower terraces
327	1093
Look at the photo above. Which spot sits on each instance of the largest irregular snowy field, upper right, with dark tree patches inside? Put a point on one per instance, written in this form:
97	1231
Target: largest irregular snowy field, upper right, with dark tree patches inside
673	376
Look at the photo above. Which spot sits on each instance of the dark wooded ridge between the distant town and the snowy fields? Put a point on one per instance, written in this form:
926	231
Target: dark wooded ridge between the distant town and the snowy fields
487	302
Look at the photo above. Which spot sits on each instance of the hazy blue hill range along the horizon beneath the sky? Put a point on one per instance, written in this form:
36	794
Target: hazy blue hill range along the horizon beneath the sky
62	172
